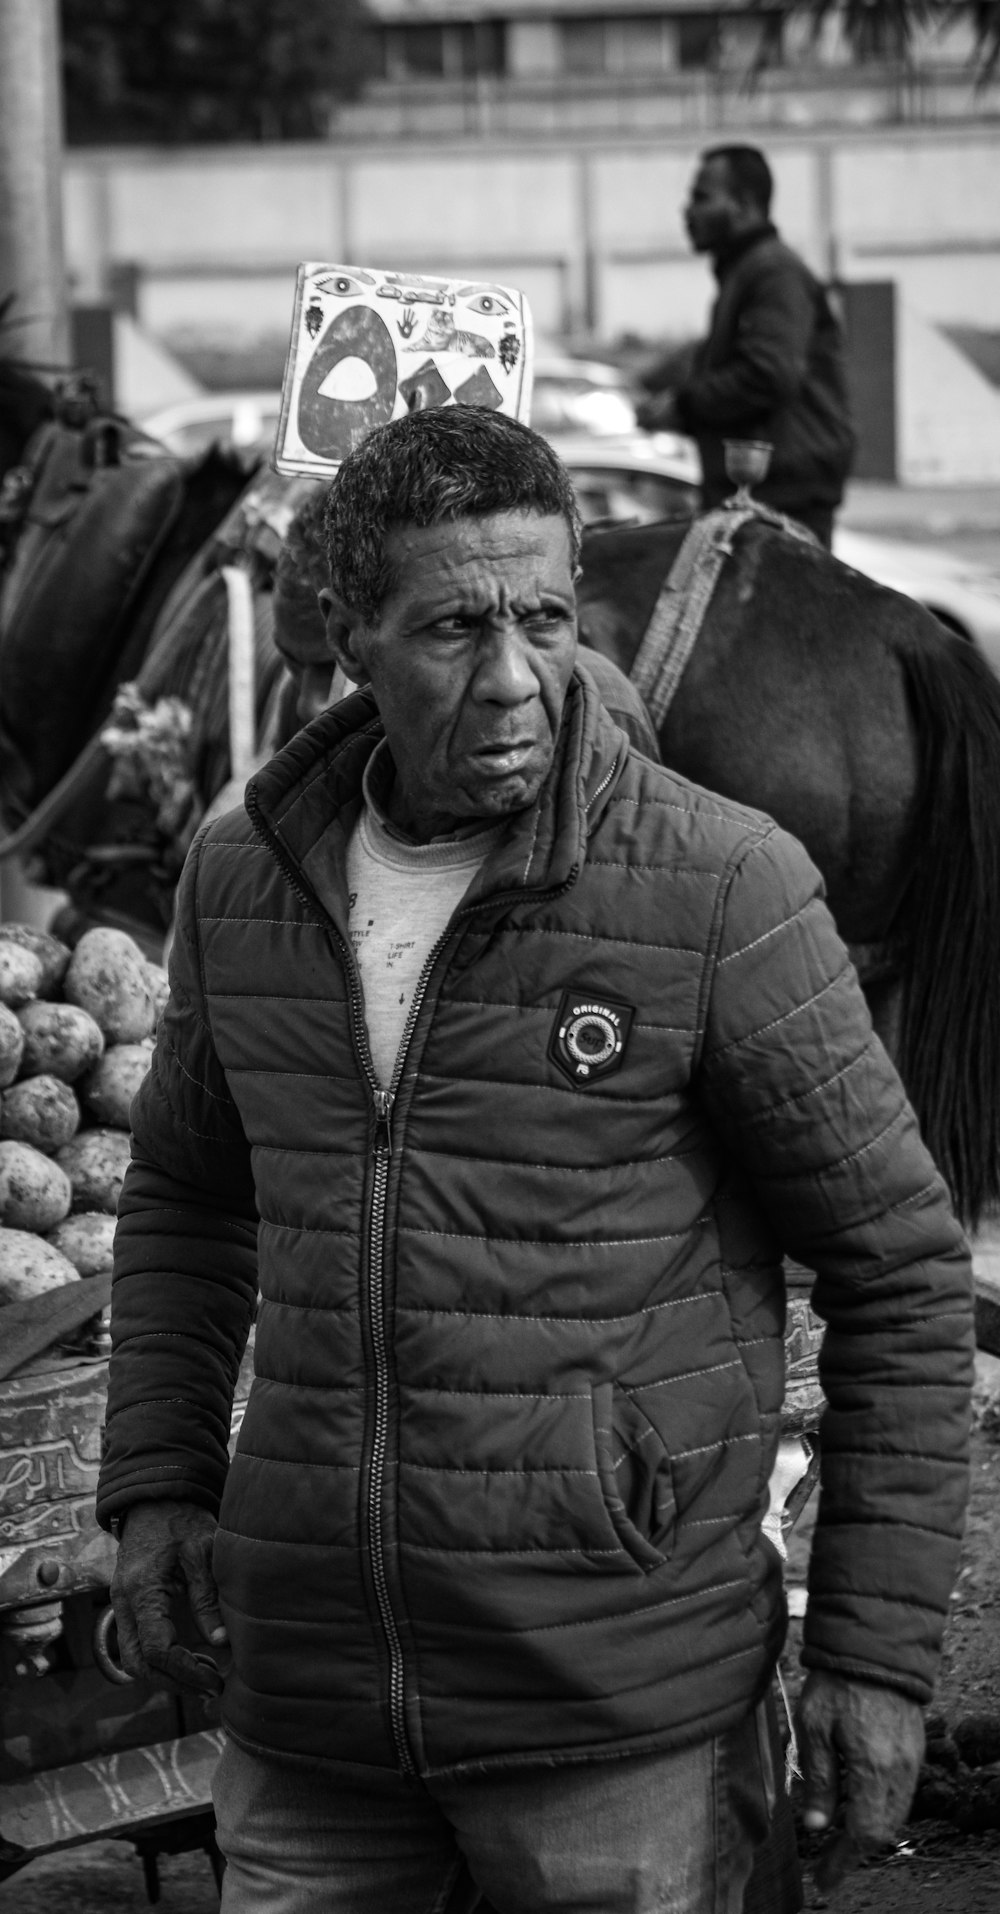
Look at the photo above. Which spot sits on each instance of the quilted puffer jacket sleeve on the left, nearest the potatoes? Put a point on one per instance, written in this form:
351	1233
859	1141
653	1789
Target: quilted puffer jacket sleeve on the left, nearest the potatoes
185	1280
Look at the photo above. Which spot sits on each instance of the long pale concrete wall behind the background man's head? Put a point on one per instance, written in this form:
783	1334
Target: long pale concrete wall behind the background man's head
593	233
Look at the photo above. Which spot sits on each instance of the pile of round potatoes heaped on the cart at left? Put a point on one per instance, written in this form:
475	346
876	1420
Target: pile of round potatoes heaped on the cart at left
76	1044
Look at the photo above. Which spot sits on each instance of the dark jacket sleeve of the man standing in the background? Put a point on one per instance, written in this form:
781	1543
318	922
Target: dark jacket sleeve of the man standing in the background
769	359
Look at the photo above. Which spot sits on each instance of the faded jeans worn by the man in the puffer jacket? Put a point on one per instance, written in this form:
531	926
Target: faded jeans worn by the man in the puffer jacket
656	1835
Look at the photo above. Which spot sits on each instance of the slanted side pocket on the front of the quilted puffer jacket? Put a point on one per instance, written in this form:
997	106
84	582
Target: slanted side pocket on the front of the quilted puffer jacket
635	1475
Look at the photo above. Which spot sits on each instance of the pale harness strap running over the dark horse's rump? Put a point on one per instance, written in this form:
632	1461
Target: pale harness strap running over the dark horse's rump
685	598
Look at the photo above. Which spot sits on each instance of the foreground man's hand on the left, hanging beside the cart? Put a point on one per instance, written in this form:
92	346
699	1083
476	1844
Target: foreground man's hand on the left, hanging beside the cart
166	1551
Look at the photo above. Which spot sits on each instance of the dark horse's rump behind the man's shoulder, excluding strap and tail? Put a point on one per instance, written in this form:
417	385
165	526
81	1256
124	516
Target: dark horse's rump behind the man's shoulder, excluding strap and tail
794	700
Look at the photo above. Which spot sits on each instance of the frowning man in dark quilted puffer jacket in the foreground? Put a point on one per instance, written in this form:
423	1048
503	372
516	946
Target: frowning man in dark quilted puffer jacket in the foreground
499	1073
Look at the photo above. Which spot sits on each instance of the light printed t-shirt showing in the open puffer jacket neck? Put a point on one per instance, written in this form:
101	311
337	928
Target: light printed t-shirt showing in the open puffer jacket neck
401	899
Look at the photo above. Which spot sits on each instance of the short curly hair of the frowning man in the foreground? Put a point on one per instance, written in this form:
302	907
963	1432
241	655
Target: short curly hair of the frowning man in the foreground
432	468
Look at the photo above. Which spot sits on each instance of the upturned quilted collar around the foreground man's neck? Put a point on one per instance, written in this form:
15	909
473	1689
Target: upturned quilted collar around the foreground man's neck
307	799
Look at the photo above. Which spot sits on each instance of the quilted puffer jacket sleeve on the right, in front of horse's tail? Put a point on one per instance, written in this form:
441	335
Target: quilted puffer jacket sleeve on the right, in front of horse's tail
817	1117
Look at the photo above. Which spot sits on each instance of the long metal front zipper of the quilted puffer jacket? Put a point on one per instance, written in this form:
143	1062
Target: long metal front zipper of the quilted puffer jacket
382	1151
